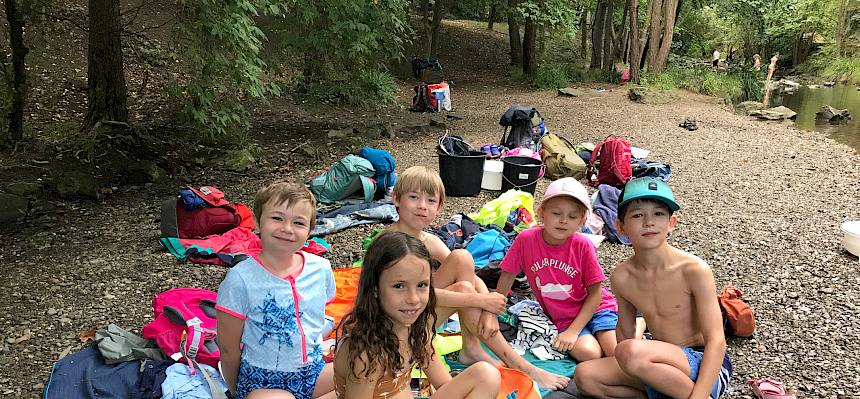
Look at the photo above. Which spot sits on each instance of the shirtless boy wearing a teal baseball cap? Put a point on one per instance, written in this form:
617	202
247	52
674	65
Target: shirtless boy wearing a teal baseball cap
675	292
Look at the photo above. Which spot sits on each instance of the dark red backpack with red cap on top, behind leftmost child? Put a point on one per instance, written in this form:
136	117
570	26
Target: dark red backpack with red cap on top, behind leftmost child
204	219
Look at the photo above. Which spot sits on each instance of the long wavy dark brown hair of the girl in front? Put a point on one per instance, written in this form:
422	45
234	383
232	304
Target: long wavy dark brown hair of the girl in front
368	329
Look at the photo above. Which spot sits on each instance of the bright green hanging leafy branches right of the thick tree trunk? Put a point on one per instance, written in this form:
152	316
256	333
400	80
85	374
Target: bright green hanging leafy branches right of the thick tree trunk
222	45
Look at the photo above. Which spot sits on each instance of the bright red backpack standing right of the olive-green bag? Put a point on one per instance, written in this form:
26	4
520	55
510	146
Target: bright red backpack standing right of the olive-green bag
610	163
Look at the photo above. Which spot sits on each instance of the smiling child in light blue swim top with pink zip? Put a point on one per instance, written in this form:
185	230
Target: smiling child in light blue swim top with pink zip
271	307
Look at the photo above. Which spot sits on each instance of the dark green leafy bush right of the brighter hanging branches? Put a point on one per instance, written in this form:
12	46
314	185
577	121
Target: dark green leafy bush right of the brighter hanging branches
337	42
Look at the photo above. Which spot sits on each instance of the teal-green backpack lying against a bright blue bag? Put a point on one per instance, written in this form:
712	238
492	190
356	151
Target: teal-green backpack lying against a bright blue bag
350	175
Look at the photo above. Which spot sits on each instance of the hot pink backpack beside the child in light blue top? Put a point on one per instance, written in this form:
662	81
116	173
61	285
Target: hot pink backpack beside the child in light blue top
184	326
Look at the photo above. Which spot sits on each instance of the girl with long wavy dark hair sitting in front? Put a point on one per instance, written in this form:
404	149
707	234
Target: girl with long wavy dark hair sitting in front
391	327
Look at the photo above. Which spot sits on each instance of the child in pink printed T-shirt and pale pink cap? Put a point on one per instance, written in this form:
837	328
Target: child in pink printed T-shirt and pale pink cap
562	269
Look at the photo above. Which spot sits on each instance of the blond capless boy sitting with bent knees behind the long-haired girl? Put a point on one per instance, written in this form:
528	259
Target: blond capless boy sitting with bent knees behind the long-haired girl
419	195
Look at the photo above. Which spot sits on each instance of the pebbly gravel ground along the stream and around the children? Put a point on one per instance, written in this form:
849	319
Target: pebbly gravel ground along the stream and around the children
761	203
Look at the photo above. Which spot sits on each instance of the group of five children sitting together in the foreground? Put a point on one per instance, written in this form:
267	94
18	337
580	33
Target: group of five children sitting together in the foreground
271	307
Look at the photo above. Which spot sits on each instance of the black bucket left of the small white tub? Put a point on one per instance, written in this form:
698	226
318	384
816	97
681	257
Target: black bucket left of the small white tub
461	174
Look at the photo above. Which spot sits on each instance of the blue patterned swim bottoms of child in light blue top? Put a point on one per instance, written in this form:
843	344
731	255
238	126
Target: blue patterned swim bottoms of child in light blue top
300	383
